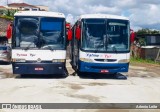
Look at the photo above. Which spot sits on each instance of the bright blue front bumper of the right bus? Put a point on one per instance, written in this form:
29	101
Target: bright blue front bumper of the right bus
103	67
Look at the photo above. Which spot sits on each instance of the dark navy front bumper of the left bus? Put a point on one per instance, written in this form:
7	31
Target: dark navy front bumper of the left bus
39	68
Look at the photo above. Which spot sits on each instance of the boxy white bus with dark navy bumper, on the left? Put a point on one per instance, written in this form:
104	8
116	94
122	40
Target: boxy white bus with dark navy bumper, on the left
39	43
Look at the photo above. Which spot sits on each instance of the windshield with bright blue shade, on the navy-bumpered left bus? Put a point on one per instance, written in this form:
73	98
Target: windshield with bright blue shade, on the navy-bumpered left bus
39	32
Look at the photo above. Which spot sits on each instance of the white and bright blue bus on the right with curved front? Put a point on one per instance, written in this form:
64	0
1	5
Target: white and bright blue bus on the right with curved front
101	44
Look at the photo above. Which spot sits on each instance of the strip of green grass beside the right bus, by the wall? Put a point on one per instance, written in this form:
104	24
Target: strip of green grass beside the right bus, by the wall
144	61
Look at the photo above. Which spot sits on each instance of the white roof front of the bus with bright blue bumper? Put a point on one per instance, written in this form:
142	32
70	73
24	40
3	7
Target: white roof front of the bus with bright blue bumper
87	16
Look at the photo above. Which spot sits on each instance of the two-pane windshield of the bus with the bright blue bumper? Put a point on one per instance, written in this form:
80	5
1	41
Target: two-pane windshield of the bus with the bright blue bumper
105	35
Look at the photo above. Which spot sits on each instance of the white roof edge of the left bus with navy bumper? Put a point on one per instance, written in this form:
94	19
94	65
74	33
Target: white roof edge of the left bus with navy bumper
39	13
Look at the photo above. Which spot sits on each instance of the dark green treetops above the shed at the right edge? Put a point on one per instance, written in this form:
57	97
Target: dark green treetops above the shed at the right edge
147	31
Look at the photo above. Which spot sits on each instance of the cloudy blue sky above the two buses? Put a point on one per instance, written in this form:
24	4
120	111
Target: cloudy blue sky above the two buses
142	13
